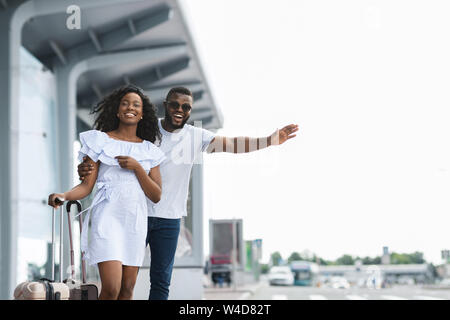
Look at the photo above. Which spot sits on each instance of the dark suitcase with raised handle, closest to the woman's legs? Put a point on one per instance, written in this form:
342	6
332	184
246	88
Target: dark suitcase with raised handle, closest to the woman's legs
83	290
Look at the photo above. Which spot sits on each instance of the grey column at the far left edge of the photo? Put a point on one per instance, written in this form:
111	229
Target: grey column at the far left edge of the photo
10	30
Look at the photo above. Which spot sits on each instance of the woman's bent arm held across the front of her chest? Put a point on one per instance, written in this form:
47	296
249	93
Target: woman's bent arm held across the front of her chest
151	183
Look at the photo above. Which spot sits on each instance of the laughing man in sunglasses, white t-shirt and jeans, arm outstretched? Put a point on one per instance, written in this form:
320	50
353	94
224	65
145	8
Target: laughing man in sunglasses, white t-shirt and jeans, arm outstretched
182	143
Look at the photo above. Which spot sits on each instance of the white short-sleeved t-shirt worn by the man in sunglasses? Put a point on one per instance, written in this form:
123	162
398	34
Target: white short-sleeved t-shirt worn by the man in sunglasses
181	148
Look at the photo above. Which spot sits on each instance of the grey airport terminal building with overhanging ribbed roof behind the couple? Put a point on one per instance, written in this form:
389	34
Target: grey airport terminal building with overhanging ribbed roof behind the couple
58	58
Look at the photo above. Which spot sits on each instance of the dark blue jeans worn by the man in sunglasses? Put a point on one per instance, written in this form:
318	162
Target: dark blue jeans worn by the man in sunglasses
162	236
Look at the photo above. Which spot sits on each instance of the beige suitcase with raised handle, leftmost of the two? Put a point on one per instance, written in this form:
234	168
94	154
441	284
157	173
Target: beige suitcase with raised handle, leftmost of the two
46	289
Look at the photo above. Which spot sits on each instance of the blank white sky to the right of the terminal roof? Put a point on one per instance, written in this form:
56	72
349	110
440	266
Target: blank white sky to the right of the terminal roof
368	84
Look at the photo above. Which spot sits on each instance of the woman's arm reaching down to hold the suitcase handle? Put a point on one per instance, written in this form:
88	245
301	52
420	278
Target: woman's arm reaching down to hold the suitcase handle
78	192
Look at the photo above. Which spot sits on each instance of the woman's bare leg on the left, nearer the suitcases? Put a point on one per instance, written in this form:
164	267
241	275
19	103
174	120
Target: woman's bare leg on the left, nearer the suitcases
111	277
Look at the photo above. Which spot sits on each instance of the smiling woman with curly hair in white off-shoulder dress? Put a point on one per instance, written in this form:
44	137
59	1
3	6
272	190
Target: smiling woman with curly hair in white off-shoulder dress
125	166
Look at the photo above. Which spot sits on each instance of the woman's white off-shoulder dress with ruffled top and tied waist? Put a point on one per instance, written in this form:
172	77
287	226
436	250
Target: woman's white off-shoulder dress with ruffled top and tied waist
119	209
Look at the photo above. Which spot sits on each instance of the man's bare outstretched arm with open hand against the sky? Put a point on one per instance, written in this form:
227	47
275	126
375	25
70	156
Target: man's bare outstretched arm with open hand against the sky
247	144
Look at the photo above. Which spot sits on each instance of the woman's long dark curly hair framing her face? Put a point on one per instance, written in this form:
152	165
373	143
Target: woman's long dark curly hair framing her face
106	110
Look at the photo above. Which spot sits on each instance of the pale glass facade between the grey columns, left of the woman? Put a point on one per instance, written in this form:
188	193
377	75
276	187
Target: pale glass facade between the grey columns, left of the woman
37	167
